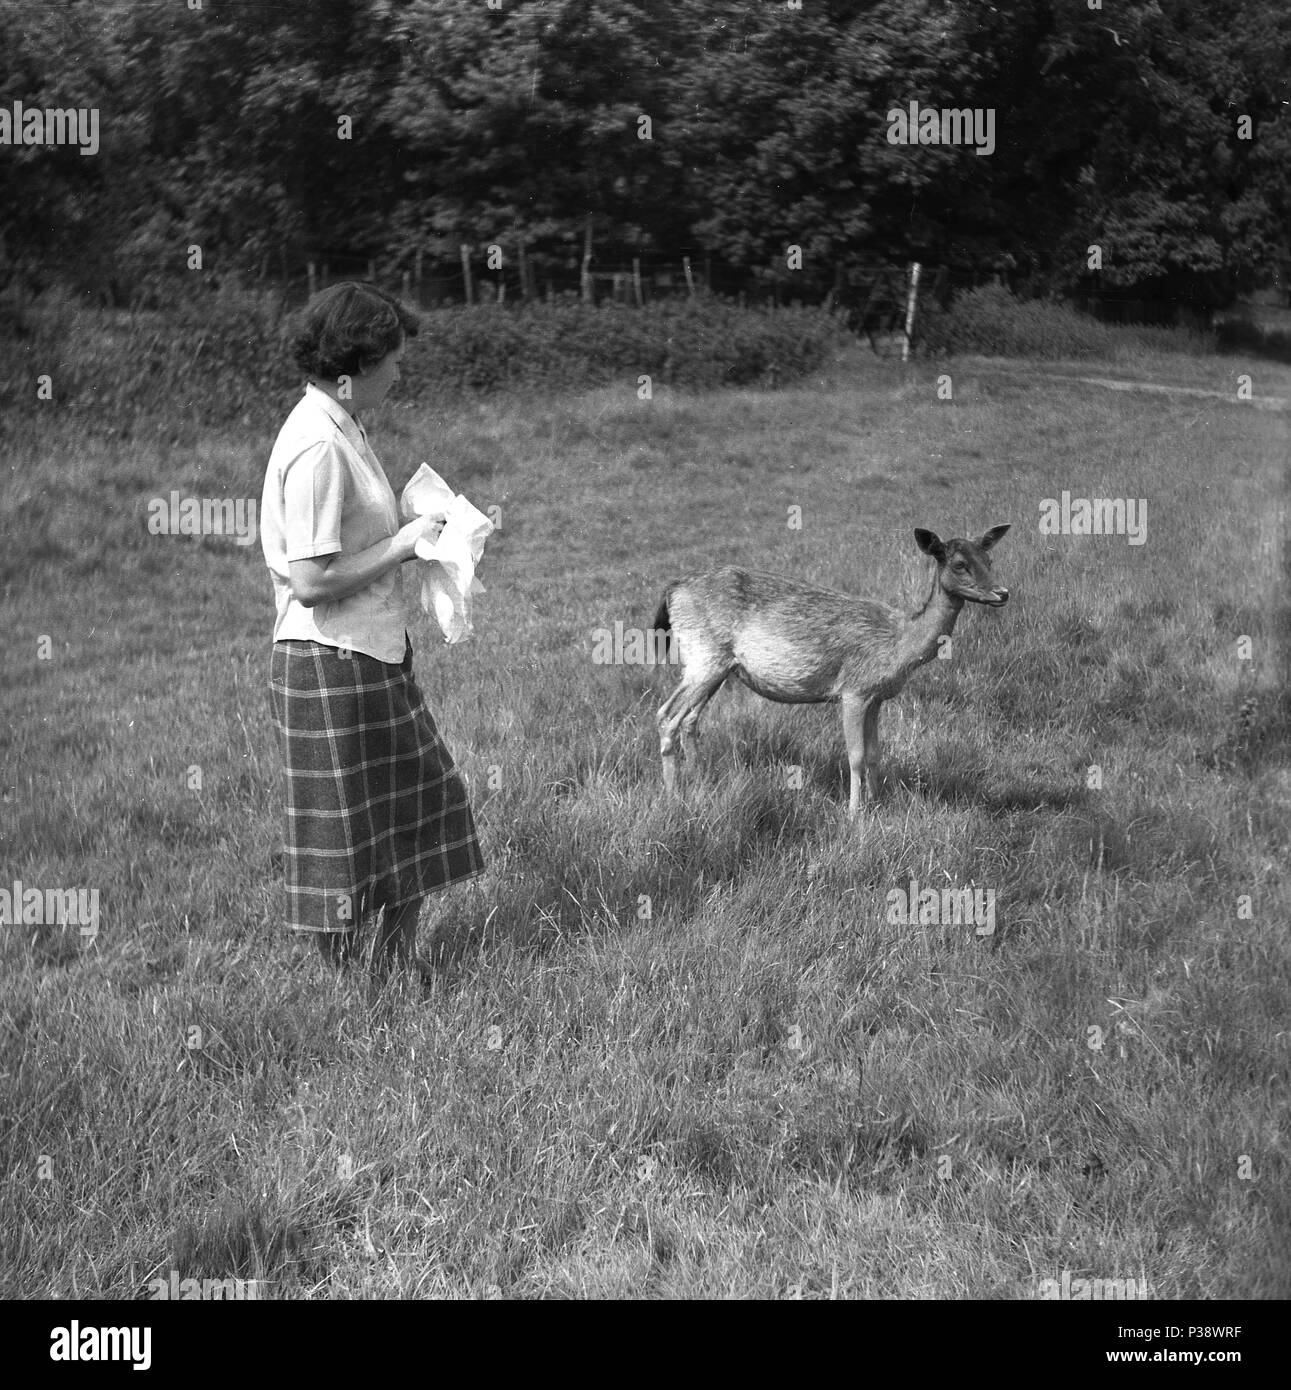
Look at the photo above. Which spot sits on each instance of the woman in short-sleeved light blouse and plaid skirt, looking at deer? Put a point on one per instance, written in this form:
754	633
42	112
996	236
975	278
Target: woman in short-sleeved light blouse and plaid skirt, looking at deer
377	815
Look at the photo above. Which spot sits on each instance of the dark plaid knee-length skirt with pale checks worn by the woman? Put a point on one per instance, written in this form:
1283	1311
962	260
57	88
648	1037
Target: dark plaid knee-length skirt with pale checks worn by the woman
377	814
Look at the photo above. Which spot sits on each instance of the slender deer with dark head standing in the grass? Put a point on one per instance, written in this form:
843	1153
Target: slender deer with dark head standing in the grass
800	644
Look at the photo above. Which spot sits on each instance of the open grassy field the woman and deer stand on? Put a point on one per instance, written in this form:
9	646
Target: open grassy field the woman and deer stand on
680	1050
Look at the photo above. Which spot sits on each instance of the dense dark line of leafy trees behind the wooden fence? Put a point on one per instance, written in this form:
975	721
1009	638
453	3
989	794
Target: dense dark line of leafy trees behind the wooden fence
1137	147
